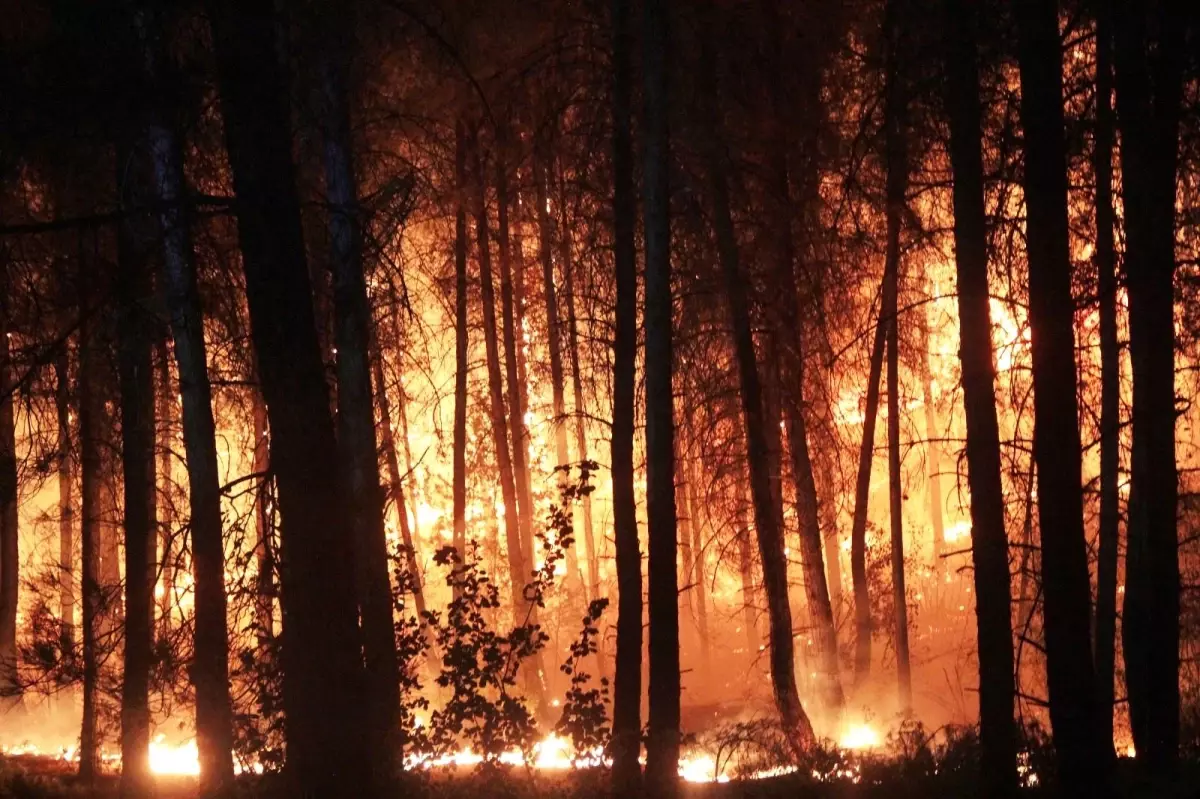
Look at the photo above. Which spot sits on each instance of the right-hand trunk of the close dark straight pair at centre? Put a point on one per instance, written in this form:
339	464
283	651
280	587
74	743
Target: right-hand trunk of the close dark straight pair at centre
663	741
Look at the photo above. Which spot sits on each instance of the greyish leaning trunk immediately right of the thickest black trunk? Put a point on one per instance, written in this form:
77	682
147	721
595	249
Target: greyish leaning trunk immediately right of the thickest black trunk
356	408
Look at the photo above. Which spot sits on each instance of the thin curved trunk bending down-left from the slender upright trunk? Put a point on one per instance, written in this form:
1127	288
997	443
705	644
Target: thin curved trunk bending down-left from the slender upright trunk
862	500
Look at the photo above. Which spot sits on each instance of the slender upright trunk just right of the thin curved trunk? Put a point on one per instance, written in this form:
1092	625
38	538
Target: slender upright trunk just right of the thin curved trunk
897	161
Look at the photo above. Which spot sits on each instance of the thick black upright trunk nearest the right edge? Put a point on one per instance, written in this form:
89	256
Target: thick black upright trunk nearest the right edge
1149	81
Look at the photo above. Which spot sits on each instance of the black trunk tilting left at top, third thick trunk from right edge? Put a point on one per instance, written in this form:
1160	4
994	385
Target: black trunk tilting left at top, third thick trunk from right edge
989	538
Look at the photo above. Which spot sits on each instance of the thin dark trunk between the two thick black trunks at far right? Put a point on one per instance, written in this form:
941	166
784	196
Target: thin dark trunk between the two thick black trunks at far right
1111	377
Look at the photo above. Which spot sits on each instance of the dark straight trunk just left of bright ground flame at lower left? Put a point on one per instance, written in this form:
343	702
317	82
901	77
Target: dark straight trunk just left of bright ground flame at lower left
137	404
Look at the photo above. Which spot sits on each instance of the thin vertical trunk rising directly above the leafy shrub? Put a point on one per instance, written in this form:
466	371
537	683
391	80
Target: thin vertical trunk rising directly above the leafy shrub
461	345
